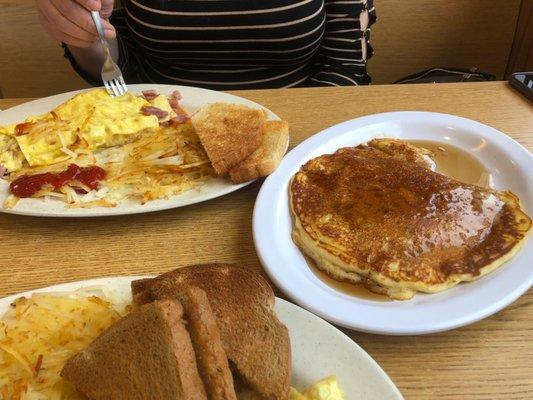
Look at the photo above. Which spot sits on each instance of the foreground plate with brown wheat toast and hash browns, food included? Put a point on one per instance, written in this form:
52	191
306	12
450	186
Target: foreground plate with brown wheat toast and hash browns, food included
182	337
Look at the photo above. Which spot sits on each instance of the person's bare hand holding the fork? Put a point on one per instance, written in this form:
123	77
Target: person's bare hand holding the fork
70	21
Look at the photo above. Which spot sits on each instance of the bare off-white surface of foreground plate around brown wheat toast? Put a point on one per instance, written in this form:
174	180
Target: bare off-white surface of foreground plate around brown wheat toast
318	349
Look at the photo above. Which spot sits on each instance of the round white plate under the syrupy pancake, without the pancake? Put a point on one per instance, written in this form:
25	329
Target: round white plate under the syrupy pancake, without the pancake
512	168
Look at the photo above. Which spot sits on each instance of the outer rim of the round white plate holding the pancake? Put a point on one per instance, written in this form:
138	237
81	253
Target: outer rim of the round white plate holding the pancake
293	160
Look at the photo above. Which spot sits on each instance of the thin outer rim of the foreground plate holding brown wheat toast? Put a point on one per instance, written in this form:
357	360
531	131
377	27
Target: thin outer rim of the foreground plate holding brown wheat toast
107	281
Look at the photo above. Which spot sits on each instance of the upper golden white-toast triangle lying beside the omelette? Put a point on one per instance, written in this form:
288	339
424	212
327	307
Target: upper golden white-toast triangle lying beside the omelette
229	133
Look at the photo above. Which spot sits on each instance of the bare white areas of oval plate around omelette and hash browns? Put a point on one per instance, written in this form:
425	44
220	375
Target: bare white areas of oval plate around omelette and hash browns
193	99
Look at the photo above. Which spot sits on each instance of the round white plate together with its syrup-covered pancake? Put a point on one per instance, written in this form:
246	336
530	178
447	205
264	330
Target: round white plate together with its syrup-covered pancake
400	223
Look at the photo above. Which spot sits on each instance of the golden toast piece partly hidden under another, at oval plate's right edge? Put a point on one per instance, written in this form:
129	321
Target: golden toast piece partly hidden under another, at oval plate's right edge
266	158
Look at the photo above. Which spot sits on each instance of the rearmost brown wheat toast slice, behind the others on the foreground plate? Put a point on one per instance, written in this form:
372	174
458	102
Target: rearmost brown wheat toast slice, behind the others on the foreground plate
256	342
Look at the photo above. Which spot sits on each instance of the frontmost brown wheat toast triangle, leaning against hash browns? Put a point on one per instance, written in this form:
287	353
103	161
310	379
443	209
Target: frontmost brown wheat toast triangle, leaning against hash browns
146	355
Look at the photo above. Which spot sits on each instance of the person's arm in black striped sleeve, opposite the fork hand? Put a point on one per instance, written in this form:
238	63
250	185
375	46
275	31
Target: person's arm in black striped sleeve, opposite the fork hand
341	59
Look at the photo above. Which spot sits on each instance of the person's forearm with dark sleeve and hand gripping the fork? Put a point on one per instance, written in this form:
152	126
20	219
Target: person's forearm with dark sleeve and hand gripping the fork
70	22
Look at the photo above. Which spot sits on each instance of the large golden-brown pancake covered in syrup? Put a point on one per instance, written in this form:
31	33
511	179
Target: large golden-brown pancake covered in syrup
378	215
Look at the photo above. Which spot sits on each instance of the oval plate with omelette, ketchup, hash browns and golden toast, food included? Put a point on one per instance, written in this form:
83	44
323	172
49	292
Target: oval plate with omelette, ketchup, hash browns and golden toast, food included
156	147
